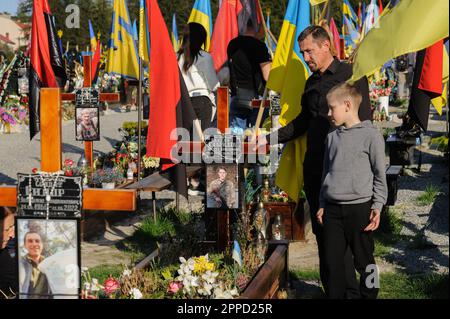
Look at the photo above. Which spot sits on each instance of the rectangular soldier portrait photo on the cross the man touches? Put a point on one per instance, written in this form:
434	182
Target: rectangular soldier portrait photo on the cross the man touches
222	191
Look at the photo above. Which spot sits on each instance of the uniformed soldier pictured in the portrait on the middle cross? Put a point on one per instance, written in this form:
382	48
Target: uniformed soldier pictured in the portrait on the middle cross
221	191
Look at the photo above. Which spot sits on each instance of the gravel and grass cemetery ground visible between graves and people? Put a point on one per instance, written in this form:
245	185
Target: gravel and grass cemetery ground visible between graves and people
411	244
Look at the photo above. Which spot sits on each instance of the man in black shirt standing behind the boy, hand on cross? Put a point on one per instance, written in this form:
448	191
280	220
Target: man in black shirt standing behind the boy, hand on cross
313	121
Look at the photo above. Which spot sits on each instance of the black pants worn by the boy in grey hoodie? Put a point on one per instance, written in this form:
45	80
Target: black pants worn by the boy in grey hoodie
344	226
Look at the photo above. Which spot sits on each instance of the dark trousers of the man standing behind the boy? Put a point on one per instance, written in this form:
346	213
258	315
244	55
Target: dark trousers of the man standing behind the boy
312	190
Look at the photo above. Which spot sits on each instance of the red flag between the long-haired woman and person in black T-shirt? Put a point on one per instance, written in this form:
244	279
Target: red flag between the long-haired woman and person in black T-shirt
226	29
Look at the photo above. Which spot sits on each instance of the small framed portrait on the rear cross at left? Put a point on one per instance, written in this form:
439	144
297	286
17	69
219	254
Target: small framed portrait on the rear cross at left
87	124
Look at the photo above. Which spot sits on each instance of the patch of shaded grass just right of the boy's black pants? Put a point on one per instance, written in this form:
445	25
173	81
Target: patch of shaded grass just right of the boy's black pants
389	232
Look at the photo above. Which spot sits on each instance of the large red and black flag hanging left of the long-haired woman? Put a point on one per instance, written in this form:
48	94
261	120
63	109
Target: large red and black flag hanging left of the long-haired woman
170	105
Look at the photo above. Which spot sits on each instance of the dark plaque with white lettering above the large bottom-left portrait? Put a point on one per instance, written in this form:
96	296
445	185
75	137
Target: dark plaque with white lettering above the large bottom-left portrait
49	196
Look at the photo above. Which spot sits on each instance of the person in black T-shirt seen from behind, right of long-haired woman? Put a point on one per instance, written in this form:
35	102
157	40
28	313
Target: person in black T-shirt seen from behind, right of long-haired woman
250	62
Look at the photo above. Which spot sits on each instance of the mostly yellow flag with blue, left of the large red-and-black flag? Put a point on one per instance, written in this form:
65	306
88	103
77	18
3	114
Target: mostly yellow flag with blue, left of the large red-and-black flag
123	53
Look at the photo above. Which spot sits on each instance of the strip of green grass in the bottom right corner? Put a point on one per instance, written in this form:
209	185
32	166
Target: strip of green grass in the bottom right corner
401	286
